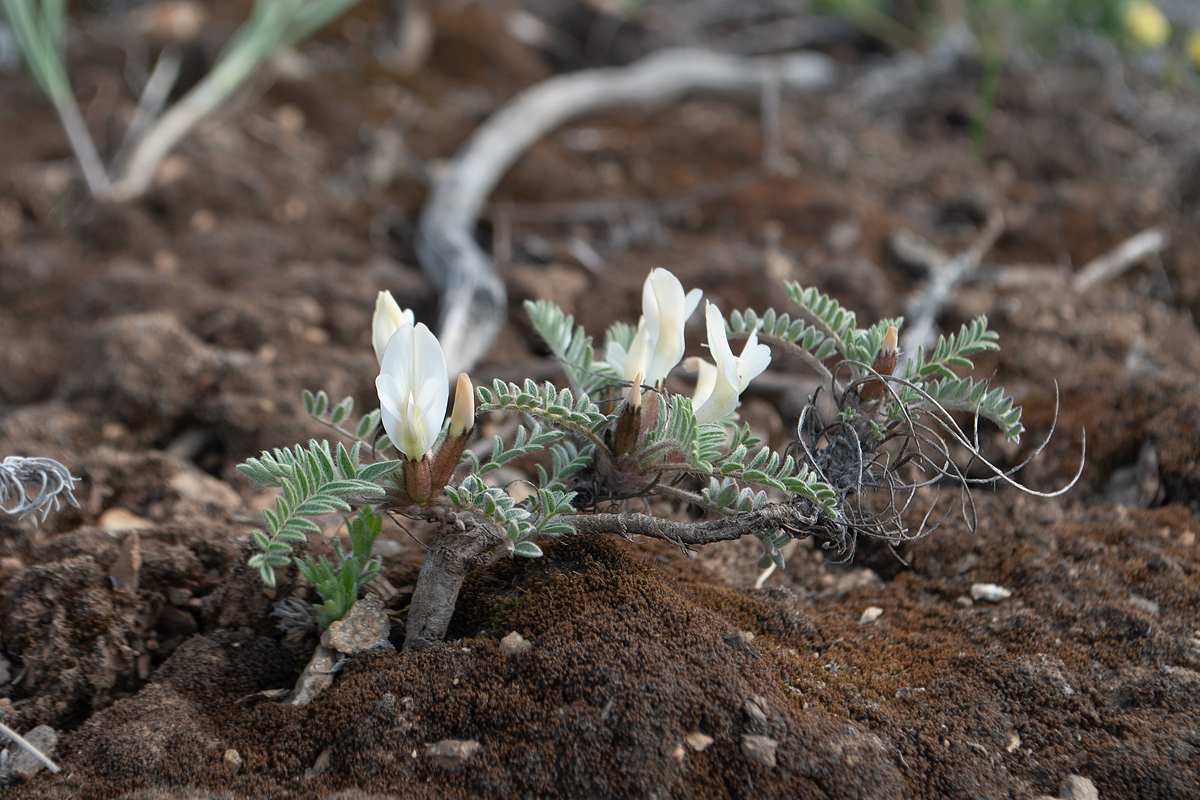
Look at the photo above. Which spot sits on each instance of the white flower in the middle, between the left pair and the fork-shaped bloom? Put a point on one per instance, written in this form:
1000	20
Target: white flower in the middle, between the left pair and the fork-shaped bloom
659	344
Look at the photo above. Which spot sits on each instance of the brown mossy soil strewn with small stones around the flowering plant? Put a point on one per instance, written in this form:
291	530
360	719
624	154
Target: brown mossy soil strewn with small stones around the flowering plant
152	347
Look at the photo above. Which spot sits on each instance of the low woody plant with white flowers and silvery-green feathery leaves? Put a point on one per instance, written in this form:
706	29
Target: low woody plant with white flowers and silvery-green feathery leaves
615	440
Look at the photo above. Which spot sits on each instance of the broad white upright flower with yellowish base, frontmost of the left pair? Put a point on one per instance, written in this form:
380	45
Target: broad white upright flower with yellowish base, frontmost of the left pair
413	390
